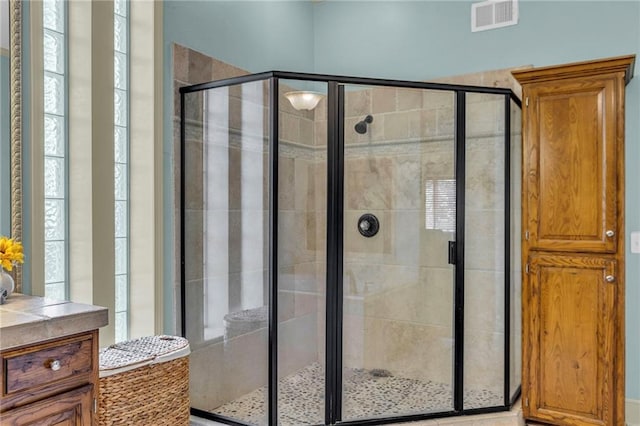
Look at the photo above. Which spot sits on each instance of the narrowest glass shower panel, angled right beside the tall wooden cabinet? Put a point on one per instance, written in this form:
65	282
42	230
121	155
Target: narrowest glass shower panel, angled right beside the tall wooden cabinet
515	375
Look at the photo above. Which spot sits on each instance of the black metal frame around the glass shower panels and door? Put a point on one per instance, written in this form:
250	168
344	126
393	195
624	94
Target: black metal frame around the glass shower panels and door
335	200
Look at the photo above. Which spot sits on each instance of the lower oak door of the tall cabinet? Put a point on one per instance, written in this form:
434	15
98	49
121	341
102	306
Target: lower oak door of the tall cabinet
569	336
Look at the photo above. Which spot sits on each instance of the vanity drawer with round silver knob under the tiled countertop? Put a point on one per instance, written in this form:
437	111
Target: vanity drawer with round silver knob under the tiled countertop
47	364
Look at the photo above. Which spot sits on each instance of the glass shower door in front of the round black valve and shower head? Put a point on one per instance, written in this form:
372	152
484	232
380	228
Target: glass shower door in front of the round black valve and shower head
399	166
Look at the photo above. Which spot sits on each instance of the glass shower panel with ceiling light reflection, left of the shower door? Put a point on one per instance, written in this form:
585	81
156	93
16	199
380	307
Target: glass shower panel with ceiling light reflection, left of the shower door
302	217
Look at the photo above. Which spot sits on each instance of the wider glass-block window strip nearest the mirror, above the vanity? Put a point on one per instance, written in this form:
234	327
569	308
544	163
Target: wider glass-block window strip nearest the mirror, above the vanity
55	150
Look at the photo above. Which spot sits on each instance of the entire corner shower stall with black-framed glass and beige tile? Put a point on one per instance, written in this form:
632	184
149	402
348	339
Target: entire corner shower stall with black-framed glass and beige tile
352	262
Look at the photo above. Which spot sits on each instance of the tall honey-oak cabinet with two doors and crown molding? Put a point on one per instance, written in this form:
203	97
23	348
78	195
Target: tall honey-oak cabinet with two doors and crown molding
573	242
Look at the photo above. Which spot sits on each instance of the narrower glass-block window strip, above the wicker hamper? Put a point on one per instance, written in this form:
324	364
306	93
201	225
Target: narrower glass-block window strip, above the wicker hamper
121	166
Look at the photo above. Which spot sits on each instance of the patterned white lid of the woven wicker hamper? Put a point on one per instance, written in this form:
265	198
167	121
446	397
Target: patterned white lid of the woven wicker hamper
145	350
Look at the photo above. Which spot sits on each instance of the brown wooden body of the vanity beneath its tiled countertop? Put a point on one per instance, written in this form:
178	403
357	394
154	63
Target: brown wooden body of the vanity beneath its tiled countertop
52	382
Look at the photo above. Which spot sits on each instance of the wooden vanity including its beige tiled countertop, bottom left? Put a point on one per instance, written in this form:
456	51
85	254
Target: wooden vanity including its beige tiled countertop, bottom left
49	354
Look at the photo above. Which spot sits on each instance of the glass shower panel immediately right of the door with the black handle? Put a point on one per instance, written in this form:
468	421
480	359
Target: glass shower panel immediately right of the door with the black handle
484	251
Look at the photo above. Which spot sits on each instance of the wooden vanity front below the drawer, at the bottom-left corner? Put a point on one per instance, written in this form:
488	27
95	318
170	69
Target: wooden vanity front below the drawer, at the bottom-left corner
72	408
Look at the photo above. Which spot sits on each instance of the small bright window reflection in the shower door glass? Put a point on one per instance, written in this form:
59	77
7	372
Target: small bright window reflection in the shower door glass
440	204
